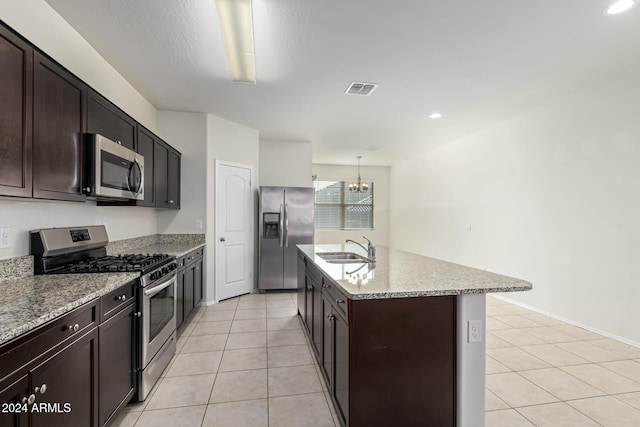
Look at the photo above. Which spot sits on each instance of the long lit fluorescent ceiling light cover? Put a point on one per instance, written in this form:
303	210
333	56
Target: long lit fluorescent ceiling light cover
237	29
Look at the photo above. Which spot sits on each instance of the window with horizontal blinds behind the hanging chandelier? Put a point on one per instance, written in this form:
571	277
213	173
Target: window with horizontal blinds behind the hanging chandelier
339	208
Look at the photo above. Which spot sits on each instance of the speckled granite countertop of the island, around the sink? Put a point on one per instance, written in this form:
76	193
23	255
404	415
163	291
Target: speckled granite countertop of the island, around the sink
400	274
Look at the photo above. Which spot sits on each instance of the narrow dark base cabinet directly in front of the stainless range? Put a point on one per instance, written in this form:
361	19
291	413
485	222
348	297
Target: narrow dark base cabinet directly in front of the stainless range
117	334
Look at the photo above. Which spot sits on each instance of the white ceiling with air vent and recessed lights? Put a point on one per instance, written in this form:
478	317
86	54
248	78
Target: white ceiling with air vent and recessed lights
476	61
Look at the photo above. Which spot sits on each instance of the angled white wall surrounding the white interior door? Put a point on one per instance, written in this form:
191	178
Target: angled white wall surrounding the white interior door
235	143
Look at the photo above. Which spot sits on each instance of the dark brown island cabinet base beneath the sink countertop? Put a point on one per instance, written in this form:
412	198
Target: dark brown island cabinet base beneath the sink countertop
386	362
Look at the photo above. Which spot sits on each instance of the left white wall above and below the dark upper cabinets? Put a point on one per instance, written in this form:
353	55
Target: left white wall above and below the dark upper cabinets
41	25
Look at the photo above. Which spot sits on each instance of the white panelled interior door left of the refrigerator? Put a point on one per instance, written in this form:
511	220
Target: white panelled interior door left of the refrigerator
234	230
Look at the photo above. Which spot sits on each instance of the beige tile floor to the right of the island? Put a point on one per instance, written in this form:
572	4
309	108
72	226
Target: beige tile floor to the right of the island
543	372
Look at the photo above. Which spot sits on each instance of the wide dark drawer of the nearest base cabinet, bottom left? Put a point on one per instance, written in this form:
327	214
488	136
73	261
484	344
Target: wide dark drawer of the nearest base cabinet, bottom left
25	350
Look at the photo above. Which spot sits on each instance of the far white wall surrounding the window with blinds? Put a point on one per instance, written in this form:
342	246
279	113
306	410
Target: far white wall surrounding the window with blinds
379	175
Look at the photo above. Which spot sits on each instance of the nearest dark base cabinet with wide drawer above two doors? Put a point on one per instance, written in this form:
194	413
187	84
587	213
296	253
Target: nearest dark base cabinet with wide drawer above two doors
47	376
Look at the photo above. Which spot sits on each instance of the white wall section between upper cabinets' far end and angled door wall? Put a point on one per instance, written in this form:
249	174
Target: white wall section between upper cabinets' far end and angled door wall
187	133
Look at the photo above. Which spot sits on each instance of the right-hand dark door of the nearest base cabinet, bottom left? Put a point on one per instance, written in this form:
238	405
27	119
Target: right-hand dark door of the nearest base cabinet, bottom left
70	379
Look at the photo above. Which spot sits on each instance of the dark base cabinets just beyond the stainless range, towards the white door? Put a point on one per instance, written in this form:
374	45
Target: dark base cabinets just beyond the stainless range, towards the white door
190	285
